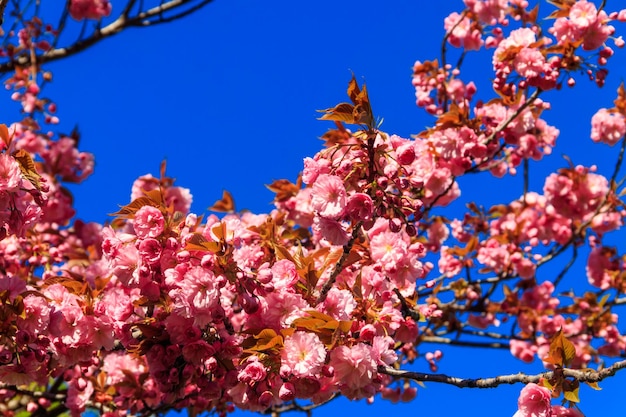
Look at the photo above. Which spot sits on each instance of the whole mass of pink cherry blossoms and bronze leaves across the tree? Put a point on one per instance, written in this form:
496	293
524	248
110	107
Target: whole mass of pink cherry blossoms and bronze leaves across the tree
336	287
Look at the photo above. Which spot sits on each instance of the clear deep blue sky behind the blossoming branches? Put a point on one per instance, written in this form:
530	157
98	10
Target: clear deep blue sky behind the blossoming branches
229	97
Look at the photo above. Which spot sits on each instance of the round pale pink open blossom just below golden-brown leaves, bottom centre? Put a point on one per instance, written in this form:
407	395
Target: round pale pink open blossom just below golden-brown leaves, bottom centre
303	354
